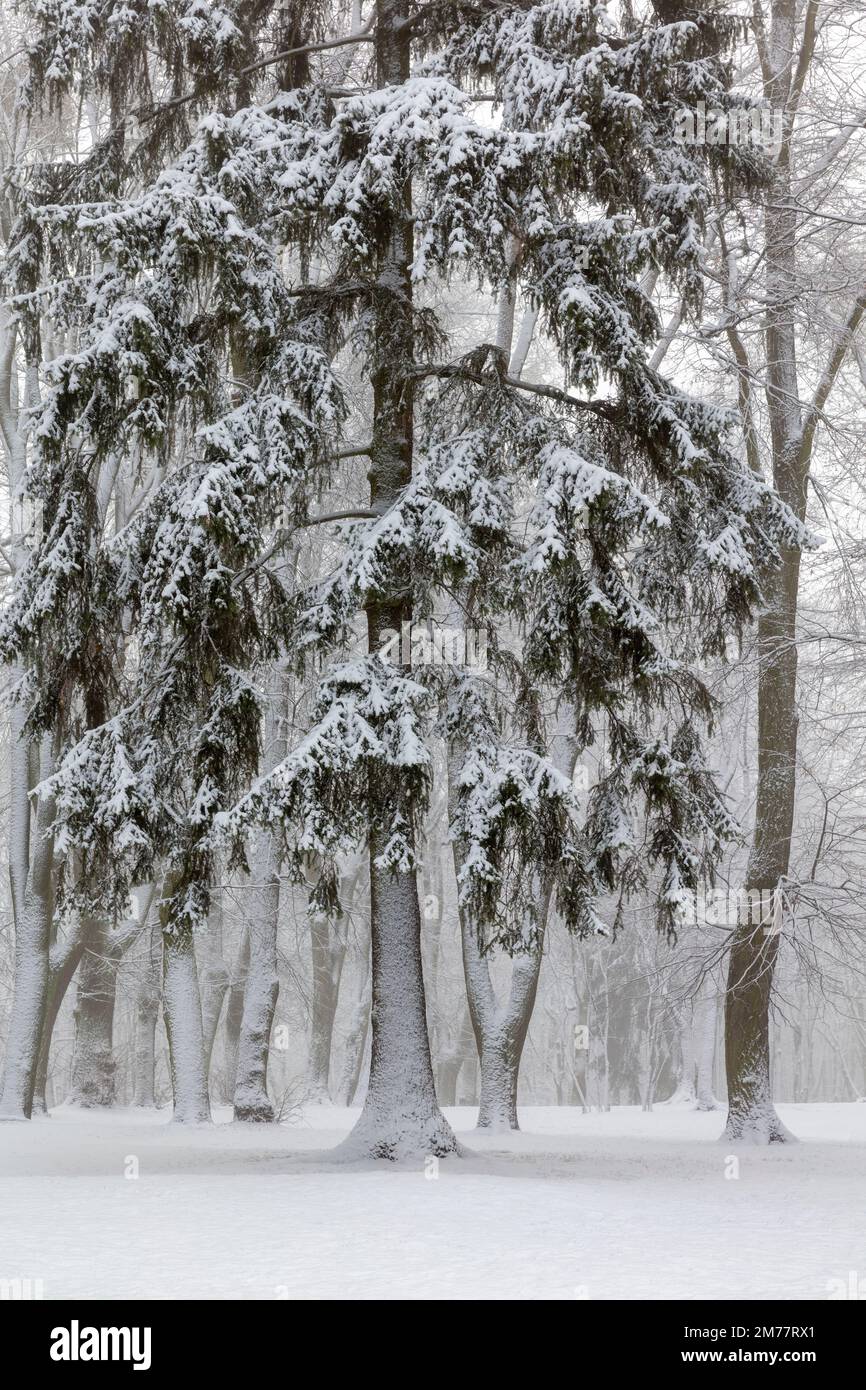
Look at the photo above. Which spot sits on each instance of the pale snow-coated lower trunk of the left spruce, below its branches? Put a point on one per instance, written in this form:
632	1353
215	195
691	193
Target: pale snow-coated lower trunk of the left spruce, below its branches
183	1007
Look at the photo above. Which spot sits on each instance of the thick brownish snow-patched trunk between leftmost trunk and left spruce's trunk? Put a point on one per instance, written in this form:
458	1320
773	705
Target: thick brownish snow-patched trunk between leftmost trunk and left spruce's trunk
92	1054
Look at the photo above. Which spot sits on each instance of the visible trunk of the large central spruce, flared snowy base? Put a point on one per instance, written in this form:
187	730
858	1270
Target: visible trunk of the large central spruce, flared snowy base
401	1117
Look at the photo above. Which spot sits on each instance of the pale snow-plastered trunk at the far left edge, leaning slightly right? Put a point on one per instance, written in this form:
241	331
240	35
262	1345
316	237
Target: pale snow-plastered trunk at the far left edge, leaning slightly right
33	945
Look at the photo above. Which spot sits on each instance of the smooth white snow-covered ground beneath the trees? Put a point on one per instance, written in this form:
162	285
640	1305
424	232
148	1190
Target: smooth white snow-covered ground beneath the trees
619	1206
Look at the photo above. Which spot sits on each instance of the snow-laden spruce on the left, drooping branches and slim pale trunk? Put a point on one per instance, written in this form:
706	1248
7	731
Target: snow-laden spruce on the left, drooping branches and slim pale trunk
151	308
